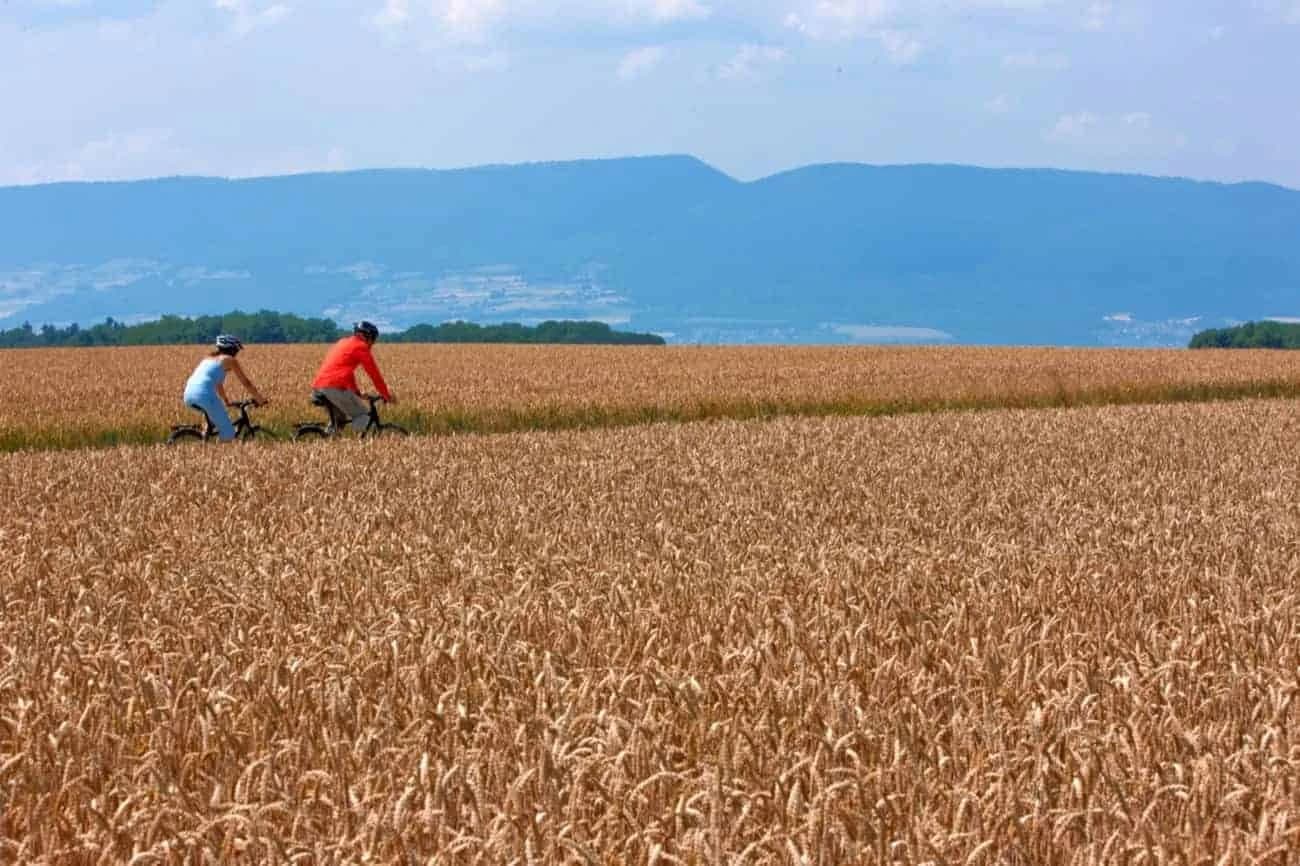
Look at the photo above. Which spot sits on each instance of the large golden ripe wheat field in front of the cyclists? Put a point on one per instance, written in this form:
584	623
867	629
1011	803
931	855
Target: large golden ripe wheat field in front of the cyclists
998	638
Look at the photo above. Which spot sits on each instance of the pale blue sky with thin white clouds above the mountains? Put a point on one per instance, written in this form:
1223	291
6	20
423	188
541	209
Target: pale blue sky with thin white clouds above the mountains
128	89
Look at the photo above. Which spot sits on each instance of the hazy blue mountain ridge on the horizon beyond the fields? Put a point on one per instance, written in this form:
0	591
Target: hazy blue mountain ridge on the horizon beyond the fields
838	253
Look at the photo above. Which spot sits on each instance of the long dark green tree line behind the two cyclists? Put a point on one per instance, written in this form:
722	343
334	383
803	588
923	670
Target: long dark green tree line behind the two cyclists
268	327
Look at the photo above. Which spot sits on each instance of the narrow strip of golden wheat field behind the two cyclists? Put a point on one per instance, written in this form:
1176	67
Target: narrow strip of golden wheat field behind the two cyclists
75	397
